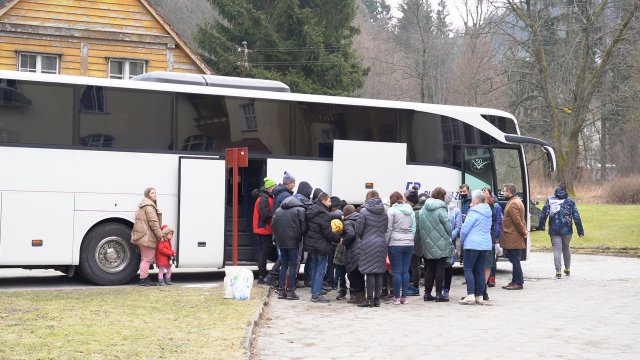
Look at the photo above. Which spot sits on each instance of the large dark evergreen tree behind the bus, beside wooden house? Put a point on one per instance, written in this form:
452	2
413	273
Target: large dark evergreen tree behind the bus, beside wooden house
306	44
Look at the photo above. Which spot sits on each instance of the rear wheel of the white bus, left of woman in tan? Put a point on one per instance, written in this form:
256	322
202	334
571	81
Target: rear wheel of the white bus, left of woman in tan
107	256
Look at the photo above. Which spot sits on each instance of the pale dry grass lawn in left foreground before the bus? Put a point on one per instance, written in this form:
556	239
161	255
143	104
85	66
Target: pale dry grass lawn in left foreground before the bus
169	322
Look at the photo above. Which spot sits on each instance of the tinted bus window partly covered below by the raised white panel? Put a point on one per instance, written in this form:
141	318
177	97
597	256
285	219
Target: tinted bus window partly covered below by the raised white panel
317	125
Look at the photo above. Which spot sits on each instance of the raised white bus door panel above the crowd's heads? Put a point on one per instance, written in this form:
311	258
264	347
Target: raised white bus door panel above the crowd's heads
359	166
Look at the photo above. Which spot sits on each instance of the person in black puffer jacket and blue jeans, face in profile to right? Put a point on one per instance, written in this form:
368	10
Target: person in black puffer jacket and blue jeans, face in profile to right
318	243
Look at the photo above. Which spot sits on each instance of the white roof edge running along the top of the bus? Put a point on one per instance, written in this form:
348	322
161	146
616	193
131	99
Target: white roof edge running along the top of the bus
469	115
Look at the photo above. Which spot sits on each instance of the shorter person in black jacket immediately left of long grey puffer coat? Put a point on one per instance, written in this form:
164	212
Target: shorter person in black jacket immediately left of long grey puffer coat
354	248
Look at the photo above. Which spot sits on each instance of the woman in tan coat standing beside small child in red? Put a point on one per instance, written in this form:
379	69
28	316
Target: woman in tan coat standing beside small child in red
147	232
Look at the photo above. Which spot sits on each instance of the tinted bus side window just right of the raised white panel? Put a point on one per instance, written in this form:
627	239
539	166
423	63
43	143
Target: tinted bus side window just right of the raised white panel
432	138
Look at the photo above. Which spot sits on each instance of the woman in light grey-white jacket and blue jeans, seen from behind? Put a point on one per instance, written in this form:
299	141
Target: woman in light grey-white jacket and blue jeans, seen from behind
400	233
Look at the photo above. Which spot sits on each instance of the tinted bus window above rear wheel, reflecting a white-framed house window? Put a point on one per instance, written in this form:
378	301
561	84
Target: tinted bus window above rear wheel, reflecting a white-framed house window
124	119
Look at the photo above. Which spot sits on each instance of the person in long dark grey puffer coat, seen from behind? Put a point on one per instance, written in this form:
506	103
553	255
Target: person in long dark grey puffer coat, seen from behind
371	227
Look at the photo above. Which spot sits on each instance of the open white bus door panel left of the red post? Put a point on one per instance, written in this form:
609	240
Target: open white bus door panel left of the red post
201	212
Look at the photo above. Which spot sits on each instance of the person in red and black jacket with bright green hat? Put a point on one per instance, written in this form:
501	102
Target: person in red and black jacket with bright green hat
262	214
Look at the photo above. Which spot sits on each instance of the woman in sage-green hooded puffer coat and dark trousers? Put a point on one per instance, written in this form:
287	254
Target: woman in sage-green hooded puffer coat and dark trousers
435	232
